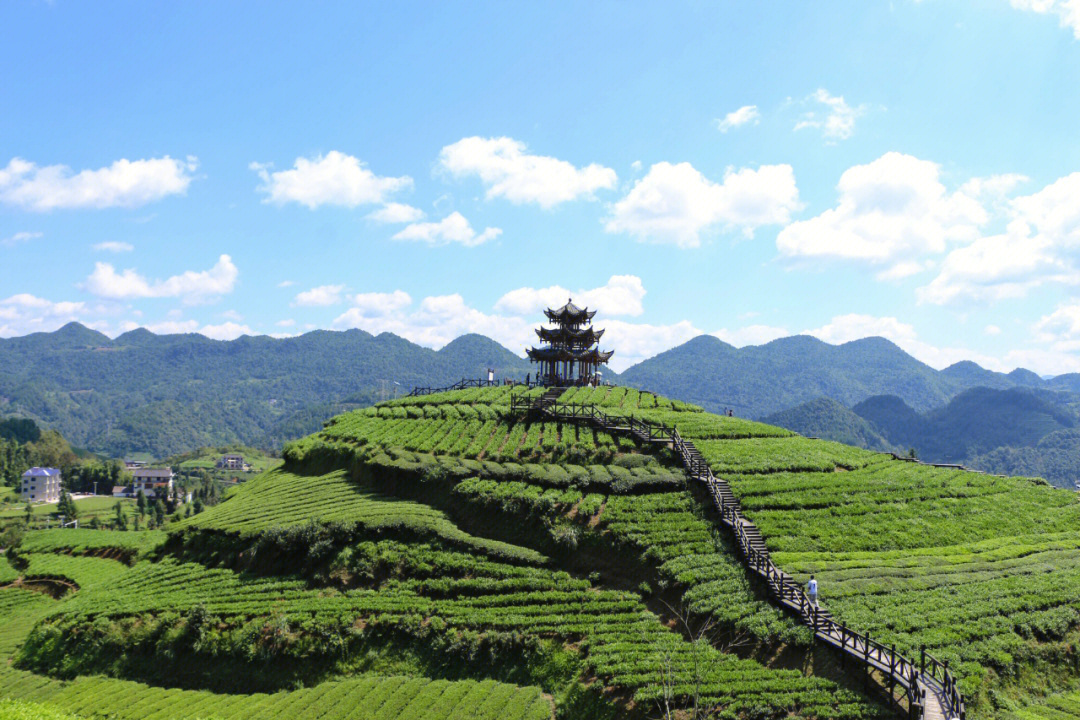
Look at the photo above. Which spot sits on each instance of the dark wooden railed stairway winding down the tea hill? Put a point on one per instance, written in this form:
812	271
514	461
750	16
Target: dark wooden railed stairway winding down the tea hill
928	688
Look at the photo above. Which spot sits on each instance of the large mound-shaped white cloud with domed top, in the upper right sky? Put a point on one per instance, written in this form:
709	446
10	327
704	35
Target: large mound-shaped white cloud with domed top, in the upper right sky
892	210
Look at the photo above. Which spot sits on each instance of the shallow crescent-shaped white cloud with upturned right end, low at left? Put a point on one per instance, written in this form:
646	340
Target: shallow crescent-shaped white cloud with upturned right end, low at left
191	287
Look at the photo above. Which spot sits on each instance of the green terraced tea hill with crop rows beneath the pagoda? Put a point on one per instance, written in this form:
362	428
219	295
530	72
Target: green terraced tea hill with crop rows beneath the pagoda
443	556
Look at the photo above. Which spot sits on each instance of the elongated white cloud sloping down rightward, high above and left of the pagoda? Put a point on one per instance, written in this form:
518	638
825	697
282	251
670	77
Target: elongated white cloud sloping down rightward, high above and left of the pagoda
508	171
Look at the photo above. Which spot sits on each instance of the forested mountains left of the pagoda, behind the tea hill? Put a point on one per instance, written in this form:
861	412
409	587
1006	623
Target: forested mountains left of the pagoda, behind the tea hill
167	395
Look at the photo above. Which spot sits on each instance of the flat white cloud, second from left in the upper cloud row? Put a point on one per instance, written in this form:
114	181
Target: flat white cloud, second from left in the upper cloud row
331	180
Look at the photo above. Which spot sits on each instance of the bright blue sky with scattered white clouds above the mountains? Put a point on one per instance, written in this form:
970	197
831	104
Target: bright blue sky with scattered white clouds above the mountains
910	170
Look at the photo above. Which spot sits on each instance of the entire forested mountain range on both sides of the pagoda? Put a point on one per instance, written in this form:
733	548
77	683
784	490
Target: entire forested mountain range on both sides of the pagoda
168	395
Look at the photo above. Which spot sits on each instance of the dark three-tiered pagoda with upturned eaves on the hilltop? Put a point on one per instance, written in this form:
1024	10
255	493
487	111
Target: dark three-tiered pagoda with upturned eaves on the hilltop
571	354
